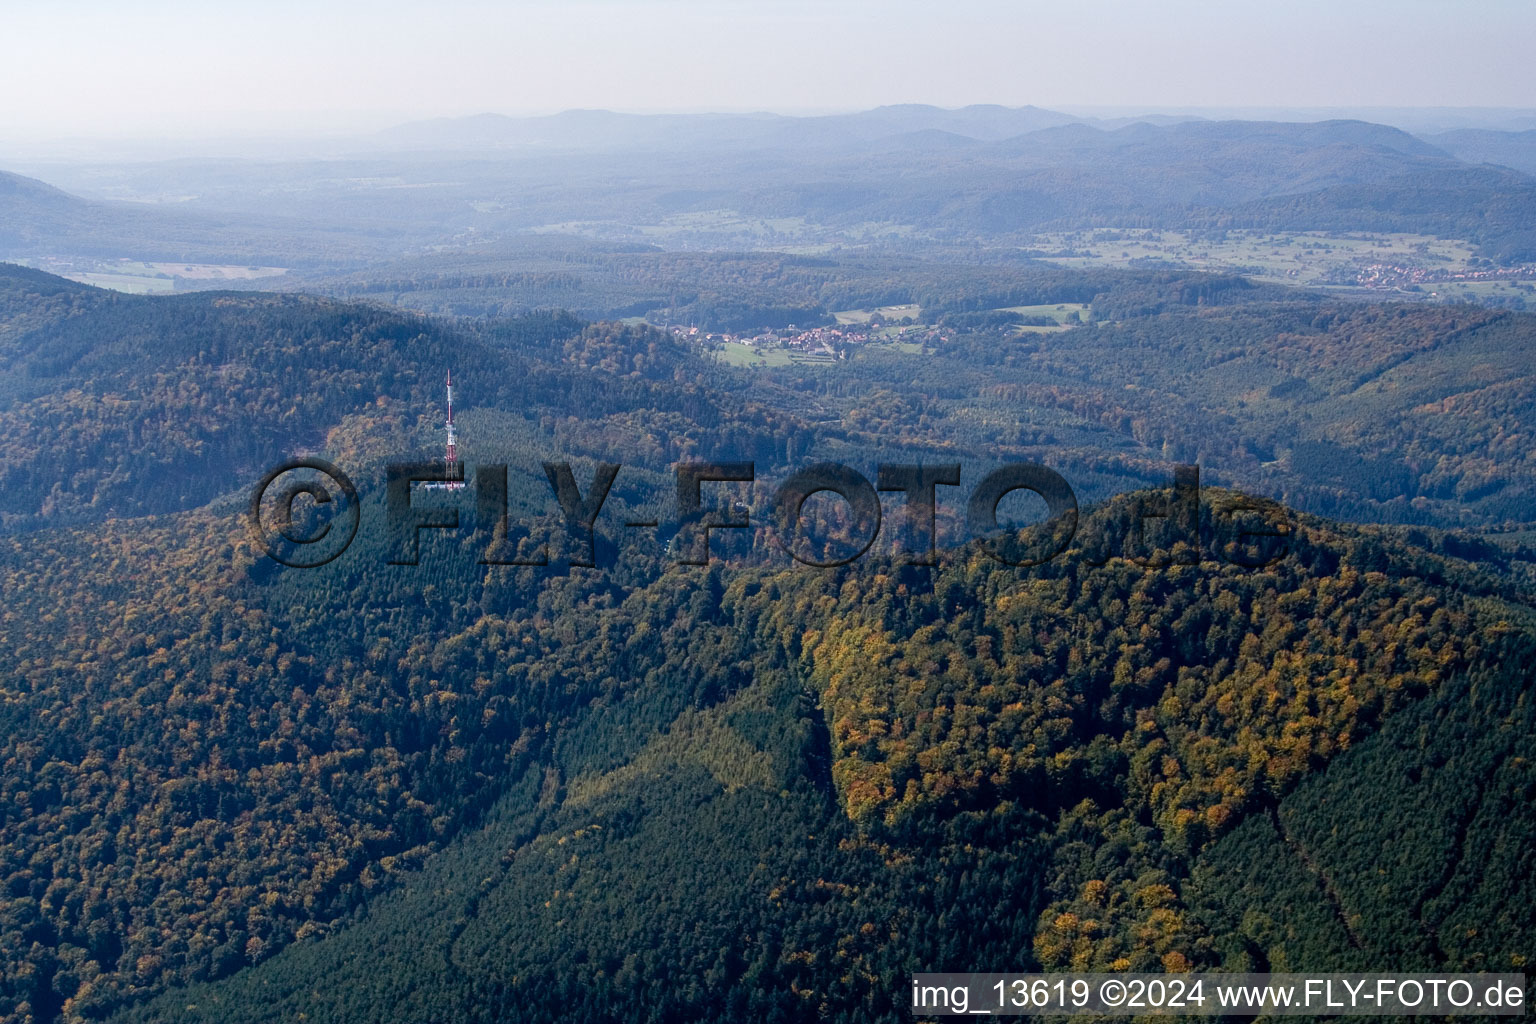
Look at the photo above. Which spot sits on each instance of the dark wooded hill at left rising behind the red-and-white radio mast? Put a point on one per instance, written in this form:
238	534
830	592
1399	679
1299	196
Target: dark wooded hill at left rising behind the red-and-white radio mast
161	405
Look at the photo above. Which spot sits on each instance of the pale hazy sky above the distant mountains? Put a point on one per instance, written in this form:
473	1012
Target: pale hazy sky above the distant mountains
210	67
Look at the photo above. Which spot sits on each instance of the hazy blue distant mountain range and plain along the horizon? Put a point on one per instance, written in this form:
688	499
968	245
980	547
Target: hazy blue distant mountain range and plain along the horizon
981	174
